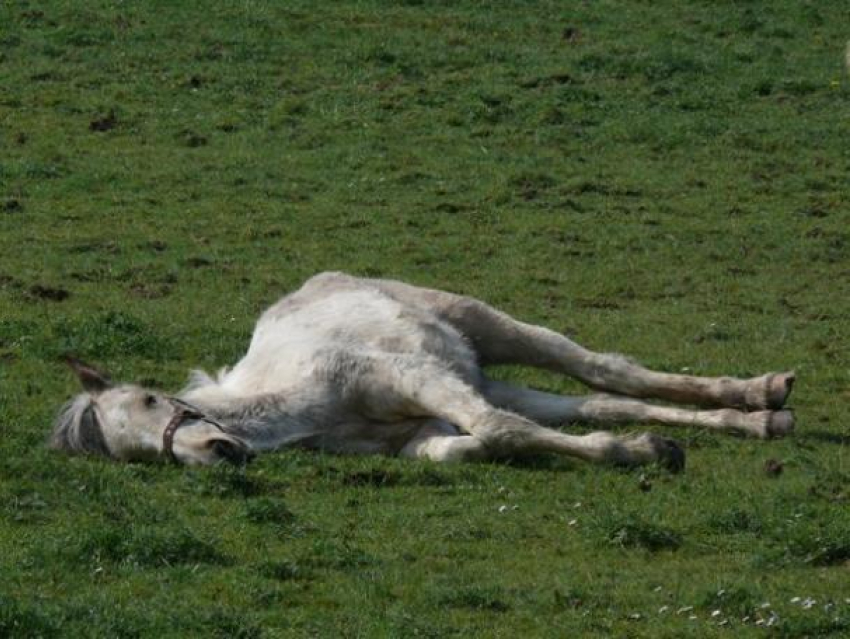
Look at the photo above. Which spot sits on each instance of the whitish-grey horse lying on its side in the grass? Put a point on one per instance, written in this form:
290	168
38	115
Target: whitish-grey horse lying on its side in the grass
353	365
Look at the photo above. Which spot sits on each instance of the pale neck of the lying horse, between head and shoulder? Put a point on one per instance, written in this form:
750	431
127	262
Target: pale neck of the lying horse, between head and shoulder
264	422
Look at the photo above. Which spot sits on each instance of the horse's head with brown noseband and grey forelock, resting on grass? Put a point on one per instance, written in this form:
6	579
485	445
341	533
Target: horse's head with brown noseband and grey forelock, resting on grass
130	423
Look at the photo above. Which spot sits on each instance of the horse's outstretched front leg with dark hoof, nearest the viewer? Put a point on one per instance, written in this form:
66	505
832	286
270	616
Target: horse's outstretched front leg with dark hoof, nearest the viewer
392	387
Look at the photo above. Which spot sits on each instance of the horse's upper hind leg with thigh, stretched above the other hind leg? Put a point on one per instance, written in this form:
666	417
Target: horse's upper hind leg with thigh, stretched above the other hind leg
500	339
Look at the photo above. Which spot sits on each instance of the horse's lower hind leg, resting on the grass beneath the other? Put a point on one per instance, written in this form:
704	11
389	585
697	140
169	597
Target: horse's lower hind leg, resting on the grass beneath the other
558	409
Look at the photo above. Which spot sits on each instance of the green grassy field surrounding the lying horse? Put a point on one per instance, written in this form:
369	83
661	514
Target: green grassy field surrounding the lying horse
664	179
